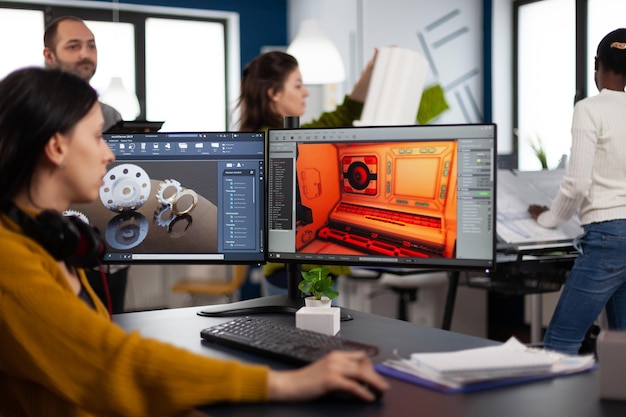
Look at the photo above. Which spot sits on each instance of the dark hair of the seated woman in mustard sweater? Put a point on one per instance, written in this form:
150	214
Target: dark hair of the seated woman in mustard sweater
36	103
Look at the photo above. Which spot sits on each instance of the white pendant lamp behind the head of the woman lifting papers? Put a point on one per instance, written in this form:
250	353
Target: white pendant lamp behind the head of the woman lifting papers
318	58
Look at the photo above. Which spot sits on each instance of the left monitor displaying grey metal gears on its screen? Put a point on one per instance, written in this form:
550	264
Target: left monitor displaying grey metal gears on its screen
194	197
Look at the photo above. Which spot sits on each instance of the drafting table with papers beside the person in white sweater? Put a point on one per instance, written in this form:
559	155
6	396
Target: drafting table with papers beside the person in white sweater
528	259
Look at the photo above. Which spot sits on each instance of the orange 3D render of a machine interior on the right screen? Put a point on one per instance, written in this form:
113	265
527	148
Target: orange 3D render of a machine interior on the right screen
393	199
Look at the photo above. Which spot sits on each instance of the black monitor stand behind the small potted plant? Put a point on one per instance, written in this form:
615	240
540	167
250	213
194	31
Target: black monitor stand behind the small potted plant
276	304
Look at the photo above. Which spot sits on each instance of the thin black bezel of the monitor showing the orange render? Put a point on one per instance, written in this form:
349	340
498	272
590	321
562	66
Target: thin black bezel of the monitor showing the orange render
318	135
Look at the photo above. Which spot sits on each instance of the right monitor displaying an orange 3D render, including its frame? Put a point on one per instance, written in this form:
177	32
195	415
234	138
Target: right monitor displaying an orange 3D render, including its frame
403	196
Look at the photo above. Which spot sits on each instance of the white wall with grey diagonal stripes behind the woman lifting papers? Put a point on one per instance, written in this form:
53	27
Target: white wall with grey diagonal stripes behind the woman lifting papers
358	26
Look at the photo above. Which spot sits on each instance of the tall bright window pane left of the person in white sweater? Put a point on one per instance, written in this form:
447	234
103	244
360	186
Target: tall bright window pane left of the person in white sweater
546	69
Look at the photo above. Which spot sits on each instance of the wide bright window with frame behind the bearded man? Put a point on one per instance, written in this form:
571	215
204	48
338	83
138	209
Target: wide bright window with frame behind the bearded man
182	64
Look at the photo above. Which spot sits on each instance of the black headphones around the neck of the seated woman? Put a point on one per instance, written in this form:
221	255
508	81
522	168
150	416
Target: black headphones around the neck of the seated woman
66	238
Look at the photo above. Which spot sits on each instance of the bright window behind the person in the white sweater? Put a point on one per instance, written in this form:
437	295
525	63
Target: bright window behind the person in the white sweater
555	67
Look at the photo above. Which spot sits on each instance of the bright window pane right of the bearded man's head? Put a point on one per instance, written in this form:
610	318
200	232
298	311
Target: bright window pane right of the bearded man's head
186	88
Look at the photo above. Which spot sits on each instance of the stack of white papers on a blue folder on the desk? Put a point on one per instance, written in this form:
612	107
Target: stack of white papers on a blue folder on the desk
473	369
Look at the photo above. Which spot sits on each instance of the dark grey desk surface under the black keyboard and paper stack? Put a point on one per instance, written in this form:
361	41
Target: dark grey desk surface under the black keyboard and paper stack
572	396
